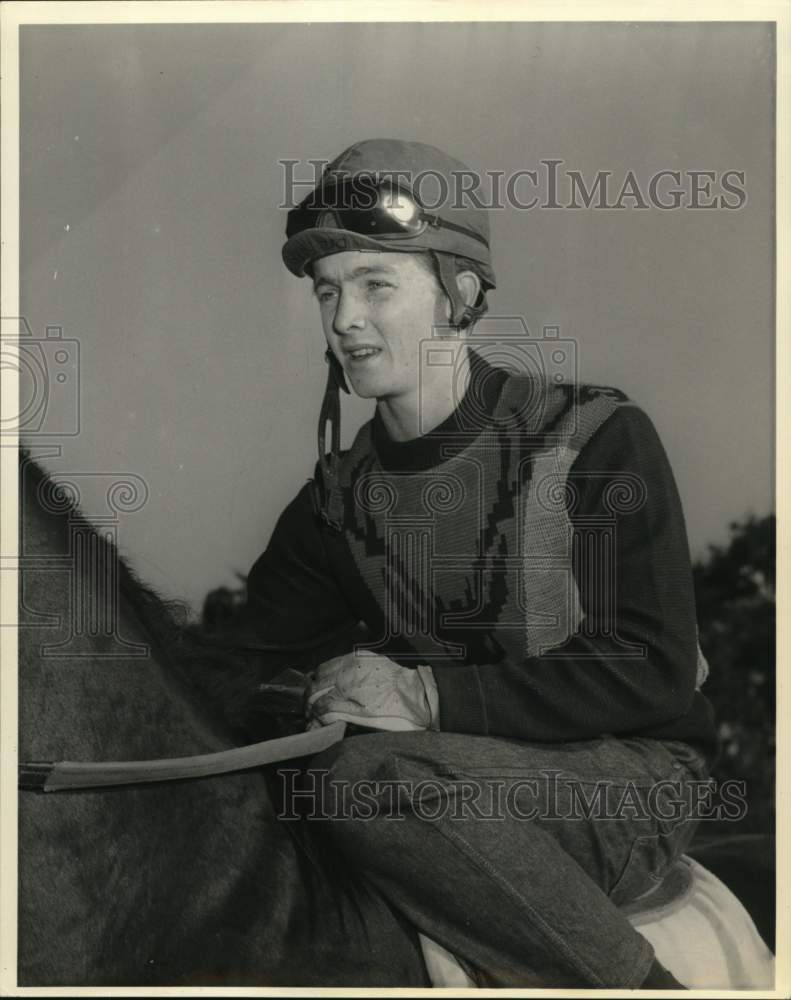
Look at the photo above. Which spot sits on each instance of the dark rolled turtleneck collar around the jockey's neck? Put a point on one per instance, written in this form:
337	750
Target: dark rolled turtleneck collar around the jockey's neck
458	430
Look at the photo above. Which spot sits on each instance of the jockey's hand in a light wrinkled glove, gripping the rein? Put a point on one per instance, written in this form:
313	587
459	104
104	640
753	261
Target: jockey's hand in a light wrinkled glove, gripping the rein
371	690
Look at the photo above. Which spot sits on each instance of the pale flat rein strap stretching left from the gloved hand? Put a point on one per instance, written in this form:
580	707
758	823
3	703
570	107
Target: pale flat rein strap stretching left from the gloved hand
66	774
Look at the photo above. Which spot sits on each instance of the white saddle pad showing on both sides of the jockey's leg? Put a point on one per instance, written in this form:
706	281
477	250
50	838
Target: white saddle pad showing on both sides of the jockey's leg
703	935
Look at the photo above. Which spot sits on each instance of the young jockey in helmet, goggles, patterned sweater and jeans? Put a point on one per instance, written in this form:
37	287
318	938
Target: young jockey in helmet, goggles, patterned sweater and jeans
527	701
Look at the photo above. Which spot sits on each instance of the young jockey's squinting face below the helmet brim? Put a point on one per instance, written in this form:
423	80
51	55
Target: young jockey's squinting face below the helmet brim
376	308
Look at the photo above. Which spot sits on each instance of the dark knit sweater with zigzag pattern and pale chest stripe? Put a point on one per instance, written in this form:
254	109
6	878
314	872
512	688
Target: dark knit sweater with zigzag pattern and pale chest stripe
531	550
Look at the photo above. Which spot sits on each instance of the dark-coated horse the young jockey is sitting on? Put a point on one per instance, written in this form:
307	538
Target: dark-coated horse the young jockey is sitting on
184	883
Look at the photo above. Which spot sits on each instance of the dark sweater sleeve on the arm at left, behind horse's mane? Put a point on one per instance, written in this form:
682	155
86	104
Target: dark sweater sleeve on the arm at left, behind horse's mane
293	598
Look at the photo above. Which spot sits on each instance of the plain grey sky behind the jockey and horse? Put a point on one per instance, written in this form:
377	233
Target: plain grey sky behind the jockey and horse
151	234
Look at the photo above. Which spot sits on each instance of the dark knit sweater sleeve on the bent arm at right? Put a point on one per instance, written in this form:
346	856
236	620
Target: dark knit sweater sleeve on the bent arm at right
587	686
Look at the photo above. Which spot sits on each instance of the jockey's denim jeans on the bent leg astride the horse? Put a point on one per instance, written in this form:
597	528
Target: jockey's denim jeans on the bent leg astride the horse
513	856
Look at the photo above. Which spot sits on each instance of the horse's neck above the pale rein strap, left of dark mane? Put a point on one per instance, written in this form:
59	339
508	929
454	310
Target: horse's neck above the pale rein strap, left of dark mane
93	684
